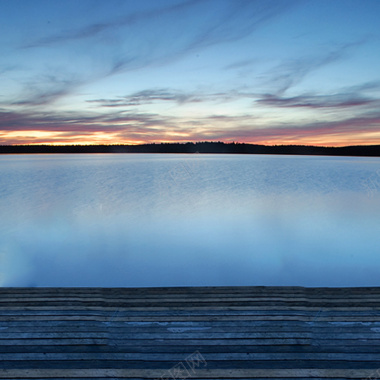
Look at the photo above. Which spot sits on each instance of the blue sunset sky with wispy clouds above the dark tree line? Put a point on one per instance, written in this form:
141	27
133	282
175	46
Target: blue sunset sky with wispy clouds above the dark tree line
150	71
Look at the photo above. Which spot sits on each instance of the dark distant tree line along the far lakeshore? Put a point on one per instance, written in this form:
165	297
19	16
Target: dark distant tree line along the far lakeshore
198	147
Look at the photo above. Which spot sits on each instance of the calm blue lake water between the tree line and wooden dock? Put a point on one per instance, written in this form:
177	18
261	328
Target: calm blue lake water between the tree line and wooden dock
172	220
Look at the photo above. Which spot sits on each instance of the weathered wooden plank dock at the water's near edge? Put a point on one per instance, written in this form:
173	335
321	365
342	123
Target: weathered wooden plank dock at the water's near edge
190	333
